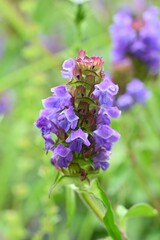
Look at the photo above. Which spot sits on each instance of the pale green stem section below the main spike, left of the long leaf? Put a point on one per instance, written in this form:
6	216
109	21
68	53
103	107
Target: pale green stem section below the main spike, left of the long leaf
92	205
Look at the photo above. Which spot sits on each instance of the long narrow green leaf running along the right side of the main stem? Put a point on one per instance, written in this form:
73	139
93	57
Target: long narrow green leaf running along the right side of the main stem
108	219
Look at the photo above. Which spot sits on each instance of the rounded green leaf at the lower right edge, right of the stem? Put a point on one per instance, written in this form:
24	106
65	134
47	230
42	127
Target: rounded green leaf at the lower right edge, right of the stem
141	209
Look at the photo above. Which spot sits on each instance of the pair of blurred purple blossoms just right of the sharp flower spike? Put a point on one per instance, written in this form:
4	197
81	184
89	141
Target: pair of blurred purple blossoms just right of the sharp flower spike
136	92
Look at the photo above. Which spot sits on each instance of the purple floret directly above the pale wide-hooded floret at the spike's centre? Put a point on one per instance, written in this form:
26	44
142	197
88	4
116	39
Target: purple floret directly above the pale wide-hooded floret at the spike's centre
68	119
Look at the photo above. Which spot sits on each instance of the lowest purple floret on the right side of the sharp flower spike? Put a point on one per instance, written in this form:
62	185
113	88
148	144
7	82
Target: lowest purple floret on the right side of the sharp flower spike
100	160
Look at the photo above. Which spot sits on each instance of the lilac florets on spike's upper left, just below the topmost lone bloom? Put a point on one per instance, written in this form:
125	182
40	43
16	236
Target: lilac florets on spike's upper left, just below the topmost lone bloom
59	100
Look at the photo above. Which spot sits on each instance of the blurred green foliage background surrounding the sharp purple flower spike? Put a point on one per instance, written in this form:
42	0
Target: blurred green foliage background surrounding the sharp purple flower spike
36	36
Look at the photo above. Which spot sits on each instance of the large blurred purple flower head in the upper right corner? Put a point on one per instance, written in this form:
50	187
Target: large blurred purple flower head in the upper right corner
137	37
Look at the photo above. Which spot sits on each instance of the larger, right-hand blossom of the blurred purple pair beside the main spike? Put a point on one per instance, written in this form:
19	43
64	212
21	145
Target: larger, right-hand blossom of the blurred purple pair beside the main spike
138	91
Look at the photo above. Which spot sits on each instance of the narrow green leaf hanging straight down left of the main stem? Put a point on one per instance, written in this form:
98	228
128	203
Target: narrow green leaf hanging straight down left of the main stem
70	205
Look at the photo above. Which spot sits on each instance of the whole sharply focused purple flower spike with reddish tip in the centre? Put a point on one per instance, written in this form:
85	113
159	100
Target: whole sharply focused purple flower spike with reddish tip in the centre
75	122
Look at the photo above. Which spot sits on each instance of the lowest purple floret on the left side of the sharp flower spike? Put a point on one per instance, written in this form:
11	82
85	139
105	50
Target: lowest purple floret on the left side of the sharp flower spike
61	156
